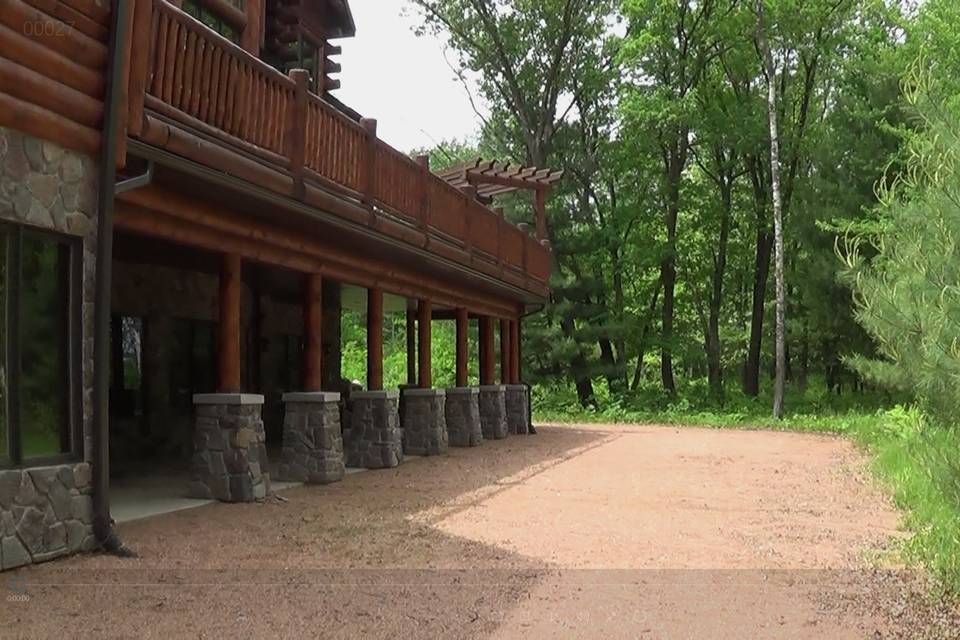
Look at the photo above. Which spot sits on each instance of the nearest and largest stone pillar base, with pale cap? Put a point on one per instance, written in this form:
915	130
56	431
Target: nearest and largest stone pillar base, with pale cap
229	454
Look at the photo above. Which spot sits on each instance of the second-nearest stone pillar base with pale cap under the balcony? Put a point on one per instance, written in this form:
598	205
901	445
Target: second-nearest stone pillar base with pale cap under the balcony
312	441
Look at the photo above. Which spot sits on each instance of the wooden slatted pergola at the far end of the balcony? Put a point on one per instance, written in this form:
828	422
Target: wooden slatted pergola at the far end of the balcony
490	178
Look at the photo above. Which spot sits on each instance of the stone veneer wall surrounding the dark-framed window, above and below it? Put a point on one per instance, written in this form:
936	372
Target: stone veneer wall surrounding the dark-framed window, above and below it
47	512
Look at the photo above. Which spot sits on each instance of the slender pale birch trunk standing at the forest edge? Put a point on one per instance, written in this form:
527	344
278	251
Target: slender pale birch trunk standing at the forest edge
781	369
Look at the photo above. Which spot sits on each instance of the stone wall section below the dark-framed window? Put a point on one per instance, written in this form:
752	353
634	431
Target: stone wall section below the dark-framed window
45	513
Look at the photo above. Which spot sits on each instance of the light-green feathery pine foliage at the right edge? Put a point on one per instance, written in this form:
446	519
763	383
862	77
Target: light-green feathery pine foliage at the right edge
905	274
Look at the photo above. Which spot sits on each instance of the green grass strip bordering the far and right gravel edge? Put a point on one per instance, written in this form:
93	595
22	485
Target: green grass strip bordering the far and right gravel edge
916	457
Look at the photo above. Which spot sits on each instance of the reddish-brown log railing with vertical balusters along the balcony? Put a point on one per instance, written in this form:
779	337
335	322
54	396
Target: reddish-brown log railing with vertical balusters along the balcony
194	77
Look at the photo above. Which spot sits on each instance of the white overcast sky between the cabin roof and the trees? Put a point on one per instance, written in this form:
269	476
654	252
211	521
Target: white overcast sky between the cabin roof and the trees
401	80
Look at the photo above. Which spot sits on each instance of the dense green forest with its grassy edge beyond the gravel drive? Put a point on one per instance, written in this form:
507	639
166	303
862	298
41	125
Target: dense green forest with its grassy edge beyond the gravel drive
739	175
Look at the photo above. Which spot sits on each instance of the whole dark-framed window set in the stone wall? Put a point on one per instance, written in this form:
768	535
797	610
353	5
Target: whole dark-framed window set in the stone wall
39	291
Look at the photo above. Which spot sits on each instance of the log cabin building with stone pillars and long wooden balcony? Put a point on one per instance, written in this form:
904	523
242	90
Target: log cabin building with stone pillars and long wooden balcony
186	211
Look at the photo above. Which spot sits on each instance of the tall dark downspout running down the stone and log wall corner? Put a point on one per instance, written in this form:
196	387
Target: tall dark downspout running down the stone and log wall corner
102	523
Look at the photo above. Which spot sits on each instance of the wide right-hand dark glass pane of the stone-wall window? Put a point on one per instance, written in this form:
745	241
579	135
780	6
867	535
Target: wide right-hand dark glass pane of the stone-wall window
44	354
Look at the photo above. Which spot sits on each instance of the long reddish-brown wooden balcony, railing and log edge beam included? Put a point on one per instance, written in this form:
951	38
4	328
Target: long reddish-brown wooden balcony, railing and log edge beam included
197	95
